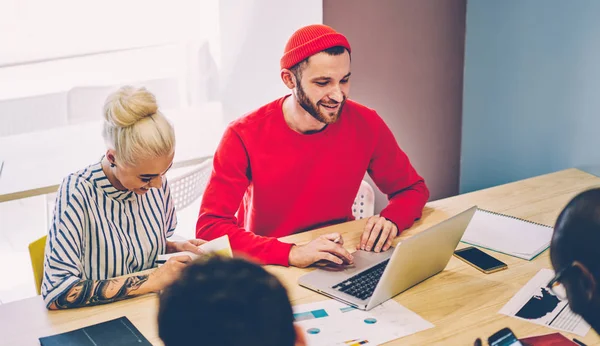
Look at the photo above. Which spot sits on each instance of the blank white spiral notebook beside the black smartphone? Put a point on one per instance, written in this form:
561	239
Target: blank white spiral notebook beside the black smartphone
507	234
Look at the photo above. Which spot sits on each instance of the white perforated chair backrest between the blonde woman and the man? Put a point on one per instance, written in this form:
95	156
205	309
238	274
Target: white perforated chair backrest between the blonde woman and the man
186	188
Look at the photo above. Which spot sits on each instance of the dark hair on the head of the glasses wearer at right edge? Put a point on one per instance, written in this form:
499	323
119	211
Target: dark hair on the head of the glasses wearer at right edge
577	232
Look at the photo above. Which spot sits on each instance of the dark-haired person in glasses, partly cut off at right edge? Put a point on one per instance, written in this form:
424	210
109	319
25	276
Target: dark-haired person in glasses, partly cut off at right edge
576	258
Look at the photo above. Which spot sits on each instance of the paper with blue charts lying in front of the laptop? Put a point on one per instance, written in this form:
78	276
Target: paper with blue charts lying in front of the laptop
333	323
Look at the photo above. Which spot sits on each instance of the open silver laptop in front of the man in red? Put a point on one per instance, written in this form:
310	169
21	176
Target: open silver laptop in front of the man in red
377	277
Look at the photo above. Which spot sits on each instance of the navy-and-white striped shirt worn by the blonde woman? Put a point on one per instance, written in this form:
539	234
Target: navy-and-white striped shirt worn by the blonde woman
99	232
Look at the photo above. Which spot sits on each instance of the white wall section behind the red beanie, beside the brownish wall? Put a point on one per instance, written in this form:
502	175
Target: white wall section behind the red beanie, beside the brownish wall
253	36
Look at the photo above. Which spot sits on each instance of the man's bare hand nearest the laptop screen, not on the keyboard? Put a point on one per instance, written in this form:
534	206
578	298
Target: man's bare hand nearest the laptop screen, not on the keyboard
377	227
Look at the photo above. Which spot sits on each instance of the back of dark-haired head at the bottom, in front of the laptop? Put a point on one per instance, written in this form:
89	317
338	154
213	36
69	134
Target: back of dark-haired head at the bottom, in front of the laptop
226	302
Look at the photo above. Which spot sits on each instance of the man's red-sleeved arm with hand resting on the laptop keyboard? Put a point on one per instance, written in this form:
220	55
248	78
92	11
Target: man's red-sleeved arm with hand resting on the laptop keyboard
223	195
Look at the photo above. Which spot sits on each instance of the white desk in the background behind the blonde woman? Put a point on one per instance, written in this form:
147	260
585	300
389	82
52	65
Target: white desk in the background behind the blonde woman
35	163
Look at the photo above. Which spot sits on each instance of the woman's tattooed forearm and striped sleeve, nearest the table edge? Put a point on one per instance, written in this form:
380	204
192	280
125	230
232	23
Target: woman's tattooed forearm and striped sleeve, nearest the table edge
63	285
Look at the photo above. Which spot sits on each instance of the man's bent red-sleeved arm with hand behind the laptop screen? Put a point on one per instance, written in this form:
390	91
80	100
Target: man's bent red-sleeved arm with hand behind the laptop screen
407	193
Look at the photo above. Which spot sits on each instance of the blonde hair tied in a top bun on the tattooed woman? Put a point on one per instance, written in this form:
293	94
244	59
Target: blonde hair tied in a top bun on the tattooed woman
134	127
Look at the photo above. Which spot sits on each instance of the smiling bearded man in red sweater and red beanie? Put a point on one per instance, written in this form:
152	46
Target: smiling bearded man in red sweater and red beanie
296	164
